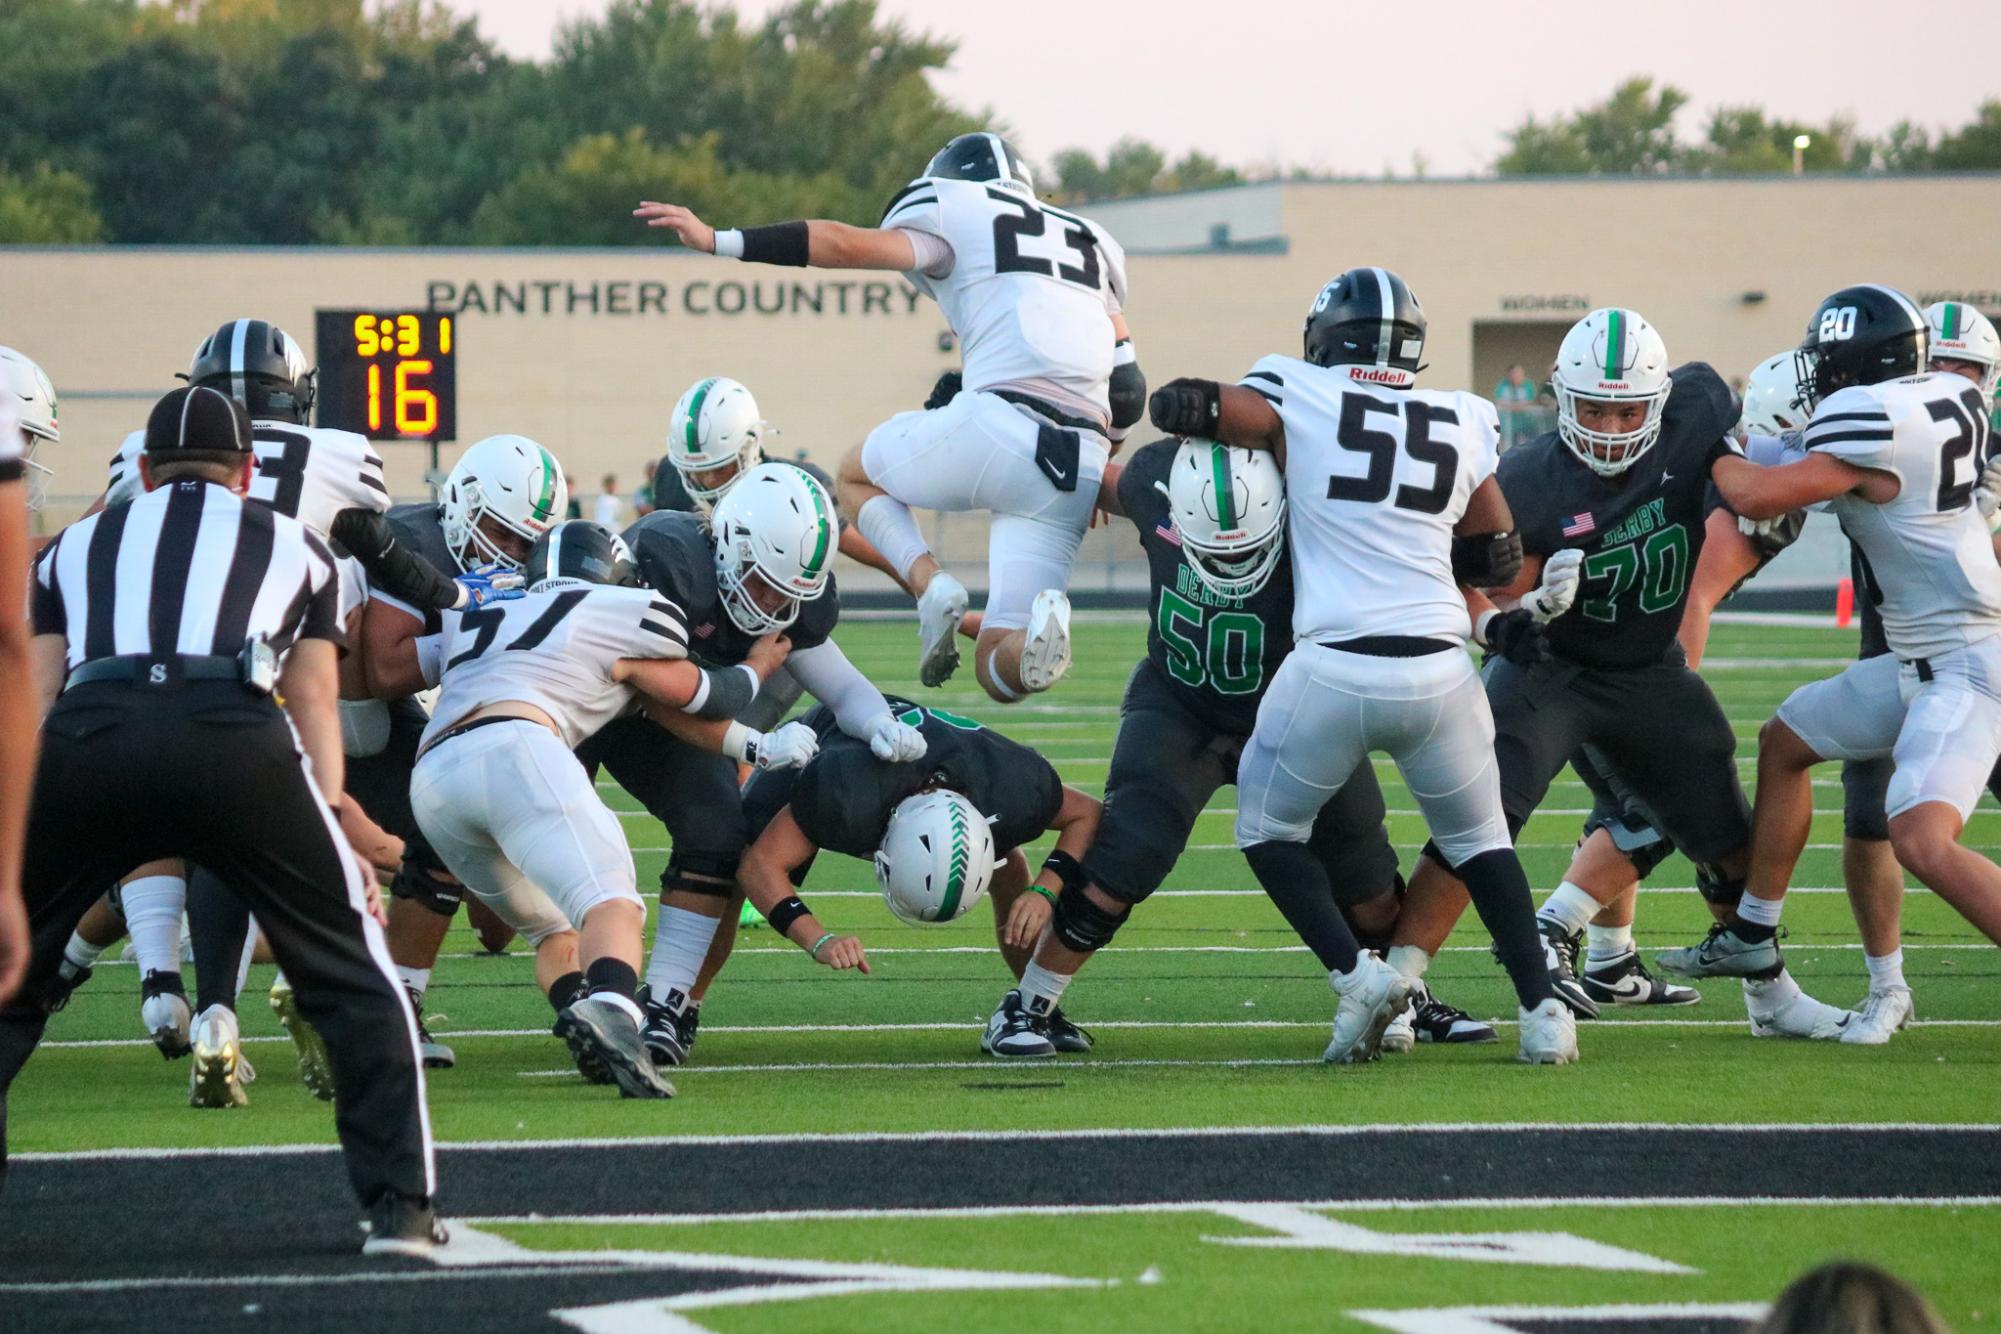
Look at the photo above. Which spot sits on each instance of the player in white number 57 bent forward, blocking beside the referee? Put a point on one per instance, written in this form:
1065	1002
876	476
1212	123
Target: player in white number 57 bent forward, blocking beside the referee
511	811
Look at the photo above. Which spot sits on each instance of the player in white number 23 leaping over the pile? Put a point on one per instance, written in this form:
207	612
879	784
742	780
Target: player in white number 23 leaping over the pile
1036	299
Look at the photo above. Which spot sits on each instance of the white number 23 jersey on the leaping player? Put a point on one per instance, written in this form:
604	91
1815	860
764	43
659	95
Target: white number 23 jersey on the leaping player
1030	289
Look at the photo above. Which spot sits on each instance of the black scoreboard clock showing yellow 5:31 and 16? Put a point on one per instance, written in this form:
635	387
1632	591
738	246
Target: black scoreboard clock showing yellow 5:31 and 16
389	375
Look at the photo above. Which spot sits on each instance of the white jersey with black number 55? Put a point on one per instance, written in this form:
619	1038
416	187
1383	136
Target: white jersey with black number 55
1376	481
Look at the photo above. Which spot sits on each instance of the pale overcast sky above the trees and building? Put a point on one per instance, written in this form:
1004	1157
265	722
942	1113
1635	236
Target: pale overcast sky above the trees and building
1360	89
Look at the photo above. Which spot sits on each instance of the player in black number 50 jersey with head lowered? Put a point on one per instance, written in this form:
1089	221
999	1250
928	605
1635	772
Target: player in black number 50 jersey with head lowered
1212	521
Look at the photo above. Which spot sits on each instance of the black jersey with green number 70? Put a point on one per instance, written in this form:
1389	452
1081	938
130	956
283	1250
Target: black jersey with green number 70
1640	531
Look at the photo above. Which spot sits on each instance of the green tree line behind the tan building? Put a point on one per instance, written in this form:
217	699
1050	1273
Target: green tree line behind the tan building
329	123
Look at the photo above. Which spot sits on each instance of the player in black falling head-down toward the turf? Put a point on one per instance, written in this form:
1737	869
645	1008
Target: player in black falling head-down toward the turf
847	801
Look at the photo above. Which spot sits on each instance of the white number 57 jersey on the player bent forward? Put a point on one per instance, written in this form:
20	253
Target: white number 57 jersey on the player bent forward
553	649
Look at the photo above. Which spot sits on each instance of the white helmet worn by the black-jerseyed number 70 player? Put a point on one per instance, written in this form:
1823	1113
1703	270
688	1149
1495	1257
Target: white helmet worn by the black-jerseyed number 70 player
1612	357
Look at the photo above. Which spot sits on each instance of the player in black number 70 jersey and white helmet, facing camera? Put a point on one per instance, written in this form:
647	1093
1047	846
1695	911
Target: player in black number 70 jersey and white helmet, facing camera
1626	481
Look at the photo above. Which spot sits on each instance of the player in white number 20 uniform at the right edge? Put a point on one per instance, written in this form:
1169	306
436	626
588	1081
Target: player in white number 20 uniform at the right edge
1896	451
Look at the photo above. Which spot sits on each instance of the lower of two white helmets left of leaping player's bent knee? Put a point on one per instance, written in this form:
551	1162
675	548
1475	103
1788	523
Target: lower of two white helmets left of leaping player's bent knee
779	527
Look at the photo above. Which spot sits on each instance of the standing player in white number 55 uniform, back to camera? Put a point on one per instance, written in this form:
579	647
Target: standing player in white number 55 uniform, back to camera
1394	513
